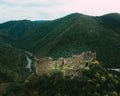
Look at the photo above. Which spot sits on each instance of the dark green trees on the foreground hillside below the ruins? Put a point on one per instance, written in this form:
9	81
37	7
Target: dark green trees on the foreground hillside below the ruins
96	81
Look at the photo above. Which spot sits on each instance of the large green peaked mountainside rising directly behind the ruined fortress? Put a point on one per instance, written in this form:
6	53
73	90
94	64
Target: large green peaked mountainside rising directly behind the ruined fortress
74	34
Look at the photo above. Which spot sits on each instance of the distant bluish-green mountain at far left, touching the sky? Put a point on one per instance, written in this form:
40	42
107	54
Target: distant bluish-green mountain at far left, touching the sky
12	30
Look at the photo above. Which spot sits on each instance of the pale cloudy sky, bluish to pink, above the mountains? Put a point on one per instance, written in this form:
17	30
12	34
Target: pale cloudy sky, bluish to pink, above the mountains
53	9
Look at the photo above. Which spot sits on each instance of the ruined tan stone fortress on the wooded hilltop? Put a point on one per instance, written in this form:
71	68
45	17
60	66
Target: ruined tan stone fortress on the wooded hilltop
71	66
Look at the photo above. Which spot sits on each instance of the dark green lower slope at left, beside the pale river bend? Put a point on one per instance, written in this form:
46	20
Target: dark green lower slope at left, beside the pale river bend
12	64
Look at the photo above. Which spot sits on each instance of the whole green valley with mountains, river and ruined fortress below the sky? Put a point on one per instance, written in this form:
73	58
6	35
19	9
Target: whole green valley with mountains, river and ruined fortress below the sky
76	55
